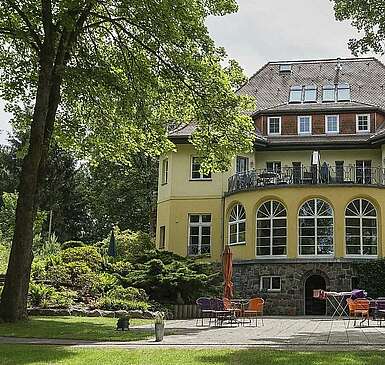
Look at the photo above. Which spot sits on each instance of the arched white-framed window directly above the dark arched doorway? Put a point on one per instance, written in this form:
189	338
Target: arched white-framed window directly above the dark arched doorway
315	228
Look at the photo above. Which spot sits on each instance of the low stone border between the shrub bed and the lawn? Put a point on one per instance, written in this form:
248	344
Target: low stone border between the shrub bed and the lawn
90	313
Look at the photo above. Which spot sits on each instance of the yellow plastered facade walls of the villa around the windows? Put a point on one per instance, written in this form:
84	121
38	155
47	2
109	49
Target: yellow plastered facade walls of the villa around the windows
181	196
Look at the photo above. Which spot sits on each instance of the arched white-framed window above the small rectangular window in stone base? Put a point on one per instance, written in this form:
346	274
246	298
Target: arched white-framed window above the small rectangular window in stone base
271	229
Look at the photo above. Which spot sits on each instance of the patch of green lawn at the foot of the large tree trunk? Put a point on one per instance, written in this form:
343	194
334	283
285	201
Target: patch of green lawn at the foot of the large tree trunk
77	328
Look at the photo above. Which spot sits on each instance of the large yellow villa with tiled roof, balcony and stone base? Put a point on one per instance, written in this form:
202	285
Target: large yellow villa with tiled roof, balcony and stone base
307	203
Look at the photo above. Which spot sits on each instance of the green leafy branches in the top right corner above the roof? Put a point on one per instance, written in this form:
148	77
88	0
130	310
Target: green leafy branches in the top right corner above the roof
369	19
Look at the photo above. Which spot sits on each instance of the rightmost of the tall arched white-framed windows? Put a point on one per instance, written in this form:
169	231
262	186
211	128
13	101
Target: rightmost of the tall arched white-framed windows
361	228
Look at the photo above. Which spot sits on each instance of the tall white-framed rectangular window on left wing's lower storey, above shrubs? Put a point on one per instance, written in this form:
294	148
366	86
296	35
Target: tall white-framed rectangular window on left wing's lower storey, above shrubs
199	234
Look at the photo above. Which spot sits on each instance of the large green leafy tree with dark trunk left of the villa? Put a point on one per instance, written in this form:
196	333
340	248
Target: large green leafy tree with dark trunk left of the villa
108	78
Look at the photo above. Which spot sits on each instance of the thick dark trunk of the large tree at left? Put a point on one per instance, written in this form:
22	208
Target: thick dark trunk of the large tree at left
13	304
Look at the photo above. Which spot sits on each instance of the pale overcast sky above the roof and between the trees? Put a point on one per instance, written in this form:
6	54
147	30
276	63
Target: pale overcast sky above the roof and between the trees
271	30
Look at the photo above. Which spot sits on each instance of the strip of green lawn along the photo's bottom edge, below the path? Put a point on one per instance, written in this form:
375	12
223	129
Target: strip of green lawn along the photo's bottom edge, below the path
35	355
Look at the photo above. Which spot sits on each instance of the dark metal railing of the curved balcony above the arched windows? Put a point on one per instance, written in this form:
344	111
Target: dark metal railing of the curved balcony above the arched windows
306	175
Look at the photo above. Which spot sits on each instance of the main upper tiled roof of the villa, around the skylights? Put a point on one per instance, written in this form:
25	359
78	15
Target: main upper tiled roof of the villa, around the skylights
366	77
